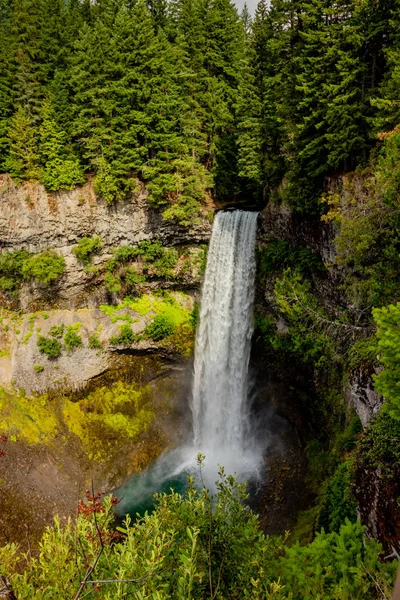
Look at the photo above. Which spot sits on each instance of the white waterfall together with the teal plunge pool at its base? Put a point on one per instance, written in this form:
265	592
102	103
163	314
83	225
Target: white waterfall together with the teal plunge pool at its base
221	397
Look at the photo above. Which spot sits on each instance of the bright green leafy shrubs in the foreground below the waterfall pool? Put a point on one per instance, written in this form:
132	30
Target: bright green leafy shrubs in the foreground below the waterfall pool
194	546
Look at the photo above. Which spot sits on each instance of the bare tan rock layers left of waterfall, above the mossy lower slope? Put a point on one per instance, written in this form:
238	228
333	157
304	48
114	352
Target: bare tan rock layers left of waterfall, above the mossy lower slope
35	220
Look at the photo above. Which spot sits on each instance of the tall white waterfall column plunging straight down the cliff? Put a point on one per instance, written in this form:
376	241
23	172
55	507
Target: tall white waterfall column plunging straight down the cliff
221	423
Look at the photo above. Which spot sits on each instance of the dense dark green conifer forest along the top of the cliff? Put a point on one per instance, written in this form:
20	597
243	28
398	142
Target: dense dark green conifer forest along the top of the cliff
192	99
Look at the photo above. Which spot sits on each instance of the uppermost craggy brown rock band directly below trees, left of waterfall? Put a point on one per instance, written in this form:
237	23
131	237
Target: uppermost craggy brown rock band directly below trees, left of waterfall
33	219
